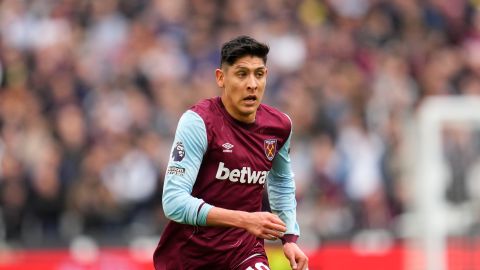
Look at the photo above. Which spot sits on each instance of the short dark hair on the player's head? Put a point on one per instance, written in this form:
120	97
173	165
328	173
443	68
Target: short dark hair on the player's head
242	46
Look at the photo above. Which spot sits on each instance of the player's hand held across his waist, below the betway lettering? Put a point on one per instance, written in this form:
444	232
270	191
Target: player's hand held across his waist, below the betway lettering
264	225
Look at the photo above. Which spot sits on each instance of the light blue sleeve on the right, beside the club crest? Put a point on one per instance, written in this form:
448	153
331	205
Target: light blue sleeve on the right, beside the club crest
281	189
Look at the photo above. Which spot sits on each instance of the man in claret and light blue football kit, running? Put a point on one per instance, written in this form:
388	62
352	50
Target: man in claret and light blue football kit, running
225	150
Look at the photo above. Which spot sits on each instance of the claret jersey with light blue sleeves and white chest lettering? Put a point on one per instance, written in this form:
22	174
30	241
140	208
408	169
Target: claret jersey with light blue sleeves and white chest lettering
219	161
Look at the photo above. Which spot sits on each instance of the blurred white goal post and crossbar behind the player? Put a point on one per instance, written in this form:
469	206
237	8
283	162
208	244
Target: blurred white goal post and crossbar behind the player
428	242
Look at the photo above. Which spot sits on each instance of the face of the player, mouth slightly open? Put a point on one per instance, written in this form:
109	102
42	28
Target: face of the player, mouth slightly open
243	86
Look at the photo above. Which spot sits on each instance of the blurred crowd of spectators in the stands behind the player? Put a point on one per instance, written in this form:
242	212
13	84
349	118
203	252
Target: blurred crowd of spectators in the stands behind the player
91	92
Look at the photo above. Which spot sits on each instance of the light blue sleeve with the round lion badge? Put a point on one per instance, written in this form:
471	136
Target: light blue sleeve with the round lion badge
186	157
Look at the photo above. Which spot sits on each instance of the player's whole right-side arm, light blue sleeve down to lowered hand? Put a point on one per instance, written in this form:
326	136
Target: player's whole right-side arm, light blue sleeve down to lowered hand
281	191
